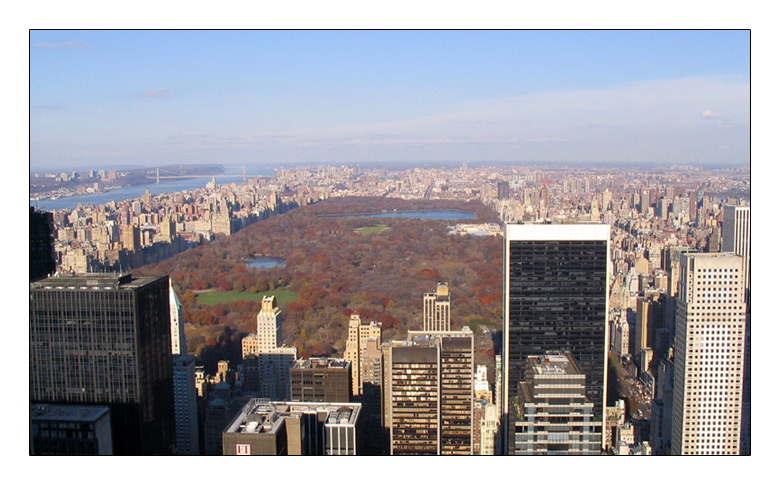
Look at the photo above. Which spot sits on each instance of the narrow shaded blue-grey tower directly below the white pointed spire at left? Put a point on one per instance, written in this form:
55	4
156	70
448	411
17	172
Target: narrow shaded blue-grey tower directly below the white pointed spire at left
186	406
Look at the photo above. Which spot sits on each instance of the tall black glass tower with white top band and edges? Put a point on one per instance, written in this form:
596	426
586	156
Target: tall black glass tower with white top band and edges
555	299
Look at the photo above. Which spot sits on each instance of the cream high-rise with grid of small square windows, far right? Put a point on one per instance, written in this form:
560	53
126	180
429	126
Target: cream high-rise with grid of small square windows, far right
708	355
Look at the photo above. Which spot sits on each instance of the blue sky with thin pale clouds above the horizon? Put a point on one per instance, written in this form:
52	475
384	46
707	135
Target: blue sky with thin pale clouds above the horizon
269	97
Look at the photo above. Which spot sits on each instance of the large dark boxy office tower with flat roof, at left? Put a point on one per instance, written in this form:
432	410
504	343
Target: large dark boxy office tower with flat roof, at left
105	339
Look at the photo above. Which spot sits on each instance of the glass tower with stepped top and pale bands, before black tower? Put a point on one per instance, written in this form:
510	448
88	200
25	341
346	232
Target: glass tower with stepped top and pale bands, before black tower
553	415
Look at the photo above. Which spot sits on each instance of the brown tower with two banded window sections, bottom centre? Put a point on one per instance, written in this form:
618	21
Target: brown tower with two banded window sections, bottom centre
429	388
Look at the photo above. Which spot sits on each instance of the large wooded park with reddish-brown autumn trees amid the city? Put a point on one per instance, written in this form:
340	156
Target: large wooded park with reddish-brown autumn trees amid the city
338	259
